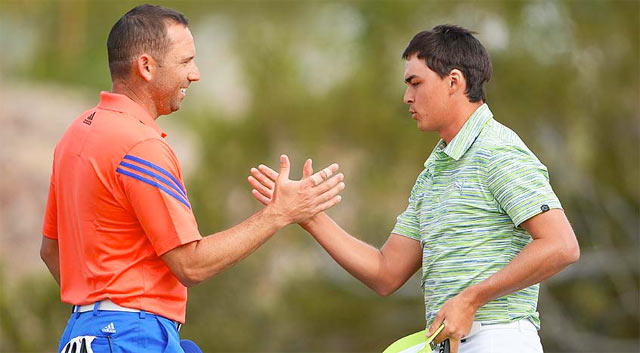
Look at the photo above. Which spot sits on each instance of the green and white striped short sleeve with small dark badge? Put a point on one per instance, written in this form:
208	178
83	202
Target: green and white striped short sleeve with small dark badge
520	183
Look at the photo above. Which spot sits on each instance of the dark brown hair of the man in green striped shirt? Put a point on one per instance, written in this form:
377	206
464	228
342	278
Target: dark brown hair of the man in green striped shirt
448	47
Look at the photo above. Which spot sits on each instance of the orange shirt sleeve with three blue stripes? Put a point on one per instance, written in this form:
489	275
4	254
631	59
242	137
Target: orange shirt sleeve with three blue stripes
151	179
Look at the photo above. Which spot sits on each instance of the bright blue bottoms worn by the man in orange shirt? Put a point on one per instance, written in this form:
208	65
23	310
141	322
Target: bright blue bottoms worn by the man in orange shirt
118	332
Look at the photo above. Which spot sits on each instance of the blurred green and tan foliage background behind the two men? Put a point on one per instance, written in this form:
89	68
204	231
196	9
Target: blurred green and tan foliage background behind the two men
323	79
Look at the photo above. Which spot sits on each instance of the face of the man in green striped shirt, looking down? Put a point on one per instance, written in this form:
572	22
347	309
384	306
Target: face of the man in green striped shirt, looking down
428	95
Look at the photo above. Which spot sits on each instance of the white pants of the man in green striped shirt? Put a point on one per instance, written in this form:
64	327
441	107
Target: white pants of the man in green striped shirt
520	336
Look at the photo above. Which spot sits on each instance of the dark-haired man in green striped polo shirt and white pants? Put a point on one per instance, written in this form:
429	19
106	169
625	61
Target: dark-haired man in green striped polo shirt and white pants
482	220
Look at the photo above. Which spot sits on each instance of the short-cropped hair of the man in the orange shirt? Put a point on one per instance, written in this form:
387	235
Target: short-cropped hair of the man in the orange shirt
142	29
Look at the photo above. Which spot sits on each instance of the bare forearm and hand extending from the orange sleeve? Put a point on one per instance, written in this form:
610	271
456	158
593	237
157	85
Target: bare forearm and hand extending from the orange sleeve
290	202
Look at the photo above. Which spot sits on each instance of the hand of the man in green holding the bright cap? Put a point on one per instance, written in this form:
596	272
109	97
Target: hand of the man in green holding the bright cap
457	314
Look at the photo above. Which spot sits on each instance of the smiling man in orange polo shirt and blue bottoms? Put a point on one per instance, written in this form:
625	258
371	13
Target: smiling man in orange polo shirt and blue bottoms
119	233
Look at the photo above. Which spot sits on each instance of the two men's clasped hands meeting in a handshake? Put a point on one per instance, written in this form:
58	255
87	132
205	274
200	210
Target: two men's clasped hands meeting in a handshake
295	201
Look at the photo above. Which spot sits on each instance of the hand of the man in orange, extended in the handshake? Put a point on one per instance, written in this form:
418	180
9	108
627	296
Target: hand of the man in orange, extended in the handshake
297	200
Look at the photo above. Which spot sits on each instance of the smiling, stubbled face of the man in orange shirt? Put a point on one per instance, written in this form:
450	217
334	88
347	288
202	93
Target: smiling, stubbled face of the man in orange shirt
176	70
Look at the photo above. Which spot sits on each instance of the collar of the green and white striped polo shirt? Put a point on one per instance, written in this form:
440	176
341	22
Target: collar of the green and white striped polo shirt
467	135
